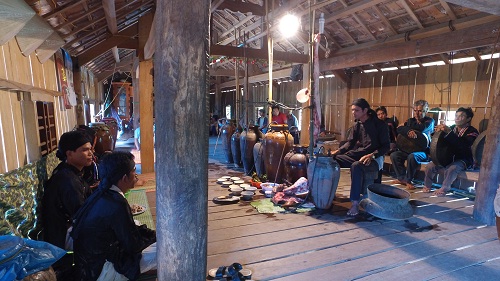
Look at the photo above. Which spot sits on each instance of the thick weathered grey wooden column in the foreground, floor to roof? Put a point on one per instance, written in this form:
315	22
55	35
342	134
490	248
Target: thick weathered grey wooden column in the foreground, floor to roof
181	104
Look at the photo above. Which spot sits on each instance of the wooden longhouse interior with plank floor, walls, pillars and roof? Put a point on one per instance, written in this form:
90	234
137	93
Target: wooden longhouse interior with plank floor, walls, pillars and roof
173	64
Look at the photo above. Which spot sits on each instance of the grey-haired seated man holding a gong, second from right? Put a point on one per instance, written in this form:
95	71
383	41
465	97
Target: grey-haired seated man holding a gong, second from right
420	123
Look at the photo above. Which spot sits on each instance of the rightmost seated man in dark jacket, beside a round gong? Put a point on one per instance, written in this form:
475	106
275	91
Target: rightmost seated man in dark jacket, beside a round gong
460	137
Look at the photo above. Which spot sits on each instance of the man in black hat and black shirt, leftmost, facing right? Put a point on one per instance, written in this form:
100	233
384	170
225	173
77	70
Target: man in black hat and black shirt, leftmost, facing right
64	194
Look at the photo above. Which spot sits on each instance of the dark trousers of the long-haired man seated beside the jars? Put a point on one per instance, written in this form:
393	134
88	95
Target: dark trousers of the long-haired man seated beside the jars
358	173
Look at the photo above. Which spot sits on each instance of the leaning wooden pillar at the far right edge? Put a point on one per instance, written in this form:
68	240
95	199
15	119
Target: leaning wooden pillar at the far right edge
489	174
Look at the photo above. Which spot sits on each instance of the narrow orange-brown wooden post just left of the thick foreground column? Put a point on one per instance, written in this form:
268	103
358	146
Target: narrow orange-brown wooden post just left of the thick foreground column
146	114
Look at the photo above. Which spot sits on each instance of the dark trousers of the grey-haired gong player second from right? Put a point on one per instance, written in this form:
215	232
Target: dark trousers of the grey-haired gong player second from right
413	160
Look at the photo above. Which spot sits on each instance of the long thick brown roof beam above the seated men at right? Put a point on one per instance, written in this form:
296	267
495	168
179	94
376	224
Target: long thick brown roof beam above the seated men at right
472	37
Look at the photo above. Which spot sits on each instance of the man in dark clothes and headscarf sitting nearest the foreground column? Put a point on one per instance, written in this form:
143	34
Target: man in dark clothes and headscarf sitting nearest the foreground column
106	239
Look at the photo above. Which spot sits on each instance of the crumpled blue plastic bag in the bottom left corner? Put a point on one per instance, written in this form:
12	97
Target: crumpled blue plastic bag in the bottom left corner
20	257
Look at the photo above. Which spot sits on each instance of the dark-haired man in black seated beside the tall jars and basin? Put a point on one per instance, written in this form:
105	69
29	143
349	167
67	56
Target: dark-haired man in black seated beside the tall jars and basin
369	140
